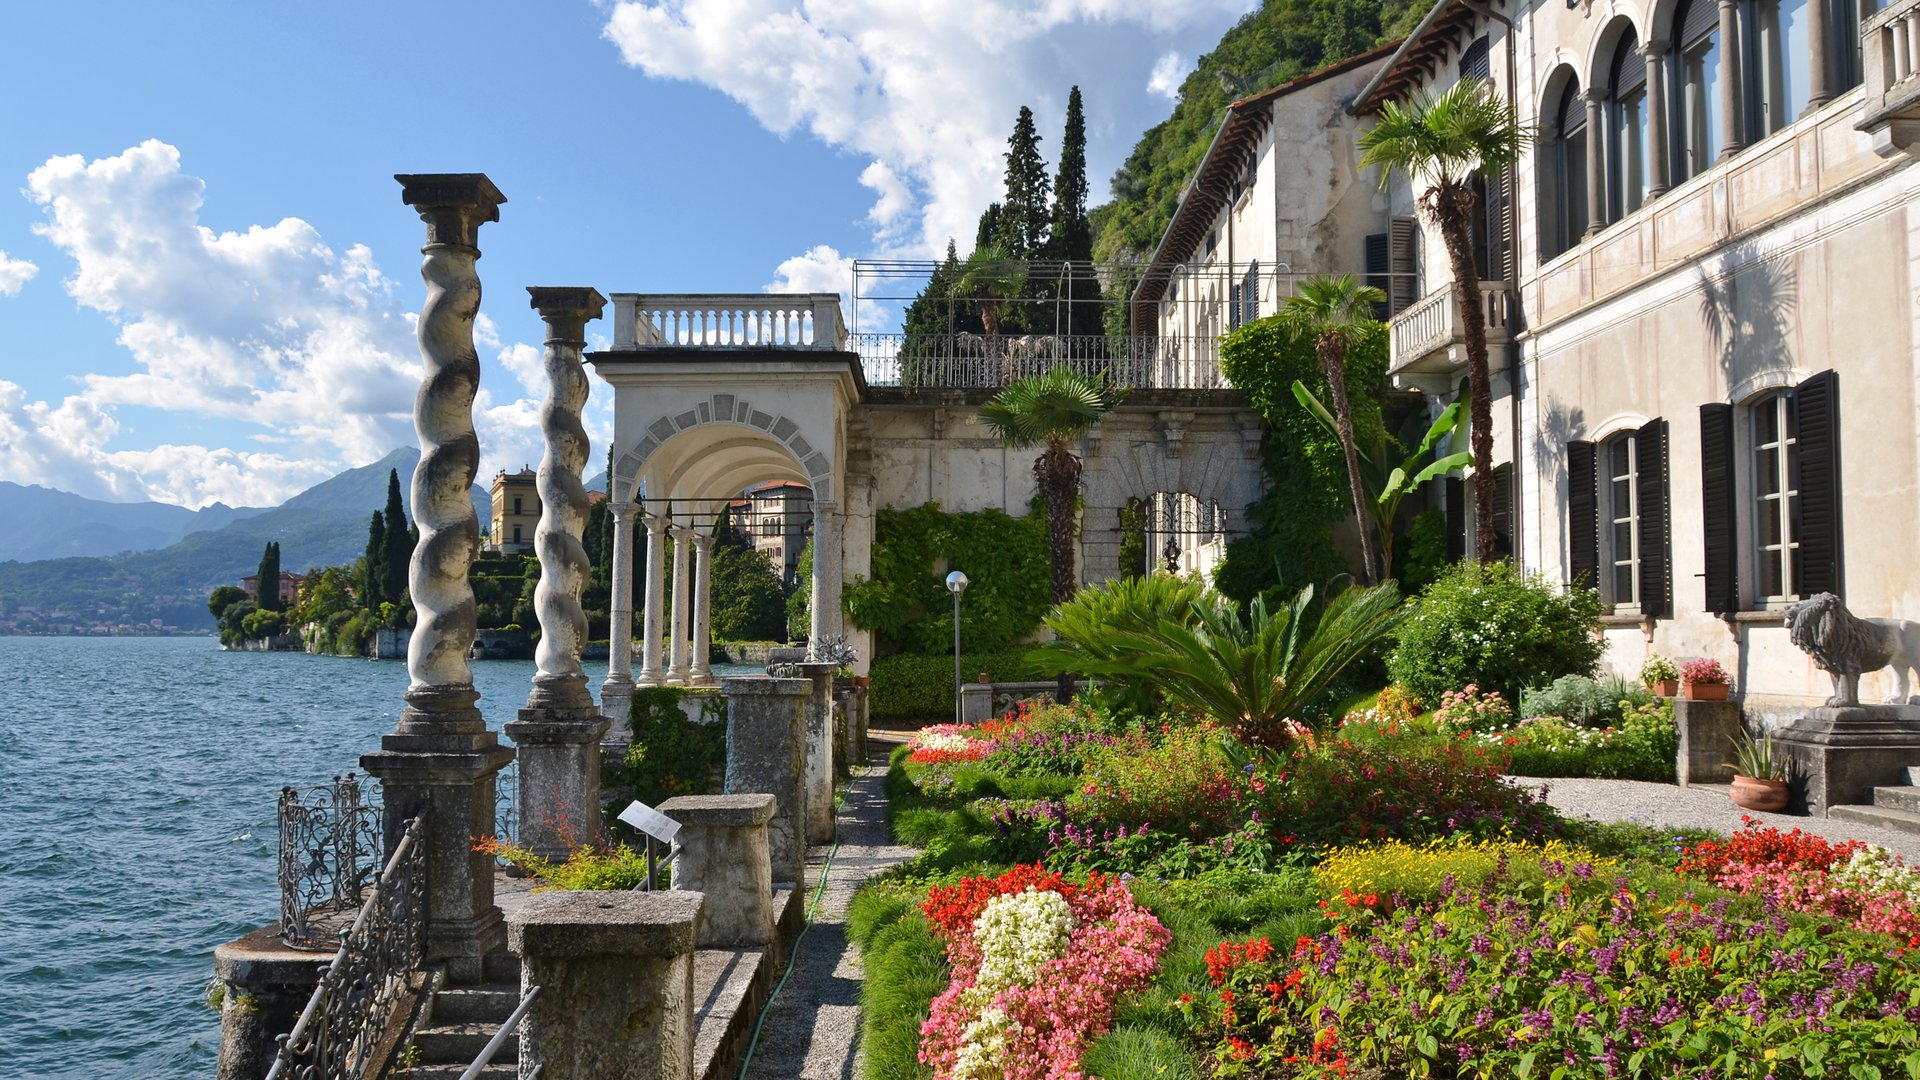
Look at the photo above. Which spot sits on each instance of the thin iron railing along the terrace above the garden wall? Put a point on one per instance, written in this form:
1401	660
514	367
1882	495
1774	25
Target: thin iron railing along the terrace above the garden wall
965	360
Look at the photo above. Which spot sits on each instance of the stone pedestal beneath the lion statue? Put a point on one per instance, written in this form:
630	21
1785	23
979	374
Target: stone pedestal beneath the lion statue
1844	752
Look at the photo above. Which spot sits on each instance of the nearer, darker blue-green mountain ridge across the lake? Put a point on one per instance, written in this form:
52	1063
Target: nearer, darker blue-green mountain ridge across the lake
320	528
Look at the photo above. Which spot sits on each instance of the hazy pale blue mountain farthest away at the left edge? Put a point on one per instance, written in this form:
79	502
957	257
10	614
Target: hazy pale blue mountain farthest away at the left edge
41	524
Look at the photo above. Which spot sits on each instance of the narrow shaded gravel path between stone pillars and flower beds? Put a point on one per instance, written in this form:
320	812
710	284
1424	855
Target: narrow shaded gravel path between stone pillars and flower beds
813	1027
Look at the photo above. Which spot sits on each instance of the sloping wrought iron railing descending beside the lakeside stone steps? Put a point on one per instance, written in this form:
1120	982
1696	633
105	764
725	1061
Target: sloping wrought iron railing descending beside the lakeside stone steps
339	1037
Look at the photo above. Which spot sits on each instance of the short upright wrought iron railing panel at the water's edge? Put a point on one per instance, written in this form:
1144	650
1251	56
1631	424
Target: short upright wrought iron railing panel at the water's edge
329	854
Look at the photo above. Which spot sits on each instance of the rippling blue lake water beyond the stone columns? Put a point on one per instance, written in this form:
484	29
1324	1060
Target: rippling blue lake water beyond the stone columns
137	829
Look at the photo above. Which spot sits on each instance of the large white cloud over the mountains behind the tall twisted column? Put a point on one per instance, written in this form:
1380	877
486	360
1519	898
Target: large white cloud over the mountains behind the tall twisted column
262	330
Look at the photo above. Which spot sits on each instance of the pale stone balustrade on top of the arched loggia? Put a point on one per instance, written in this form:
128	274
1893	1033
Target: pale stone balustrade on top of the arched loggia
719	320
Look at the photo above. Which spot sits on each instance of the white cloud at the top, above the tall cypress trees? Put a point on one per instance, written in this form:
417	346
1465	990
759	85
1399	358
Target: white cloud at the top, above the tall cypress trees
926	91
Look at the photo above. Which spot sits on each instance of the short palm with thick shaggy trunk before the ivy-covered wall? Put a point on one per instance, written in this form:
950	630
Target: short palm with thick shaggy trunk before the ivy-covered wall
1051	412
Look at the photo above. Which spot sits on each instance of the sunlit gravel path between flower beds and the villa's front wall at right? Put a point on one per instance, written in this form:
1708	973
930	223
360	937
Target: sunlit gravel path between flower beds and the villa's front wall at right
1706	806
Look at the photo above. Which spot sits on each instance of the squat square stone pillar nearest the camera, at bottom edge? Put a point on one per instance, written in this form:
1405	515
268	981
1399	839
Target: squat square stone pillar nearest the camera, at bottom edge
615	975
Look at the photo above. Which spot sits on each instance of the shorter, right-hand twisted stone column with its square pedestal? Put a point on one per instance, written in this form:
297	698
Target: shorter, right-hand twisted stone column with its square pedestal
558	733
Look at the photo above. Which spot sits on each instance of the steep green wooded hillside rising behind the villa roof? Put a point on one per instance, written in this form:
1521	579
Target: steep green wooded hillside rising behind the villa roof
1282	41
